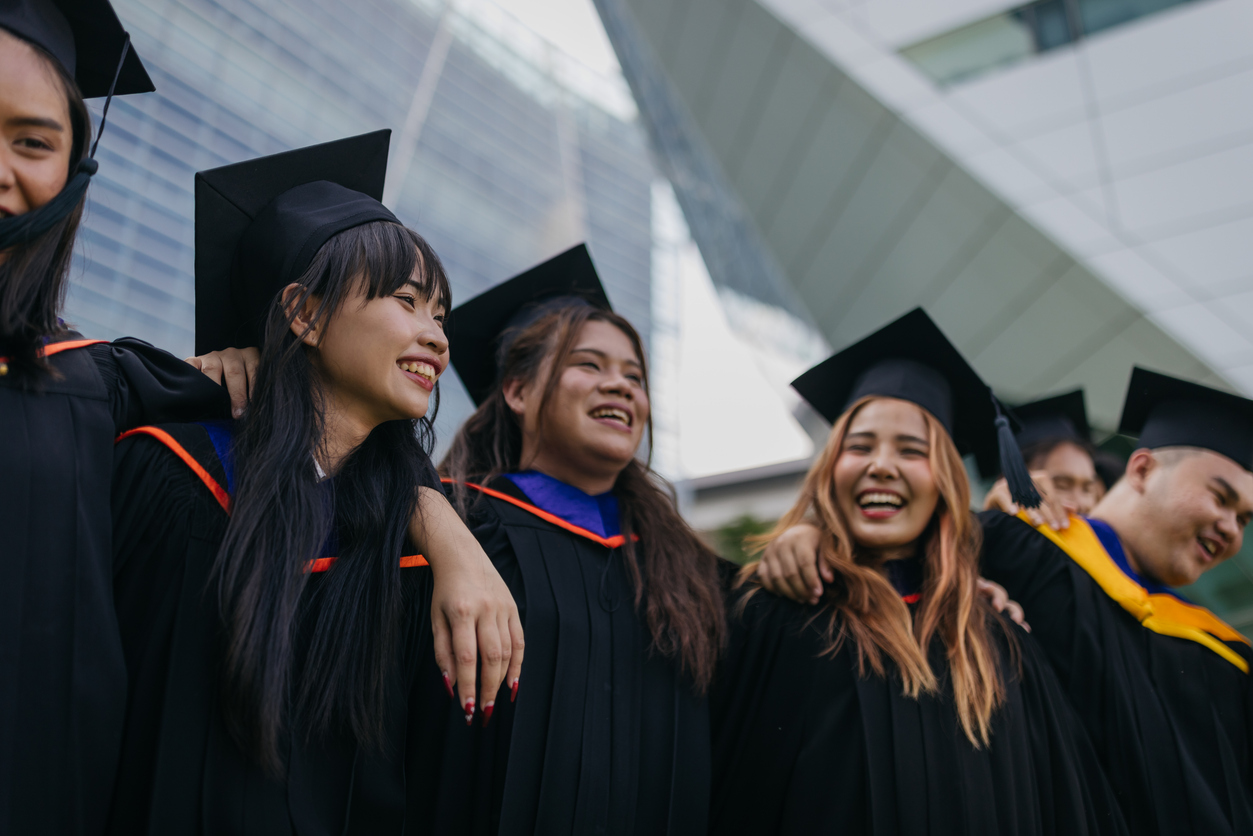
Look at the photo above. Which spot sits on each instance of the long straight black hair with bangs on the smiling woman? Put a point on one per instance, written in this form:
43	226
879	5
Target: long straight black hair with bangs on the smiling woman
319	662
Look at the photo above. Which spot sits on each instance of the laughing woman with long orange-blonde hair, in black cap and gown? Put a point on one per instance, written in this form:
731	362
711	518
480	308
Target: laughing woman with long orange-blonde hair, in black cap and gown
904	703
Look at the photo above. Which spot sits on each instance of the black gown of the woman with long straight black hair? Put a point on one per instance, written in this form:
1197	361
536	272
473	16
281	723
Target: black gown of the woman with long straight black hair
180	773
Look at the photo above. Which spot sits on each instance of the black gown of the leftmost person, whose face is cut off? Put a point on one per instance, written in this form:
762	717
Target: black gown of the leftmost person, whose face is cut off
63	684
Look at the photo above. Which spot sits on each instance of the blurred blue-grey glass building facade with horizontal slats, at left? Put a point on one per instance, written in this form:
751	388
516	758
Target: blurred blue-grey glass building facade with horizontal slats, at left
503	152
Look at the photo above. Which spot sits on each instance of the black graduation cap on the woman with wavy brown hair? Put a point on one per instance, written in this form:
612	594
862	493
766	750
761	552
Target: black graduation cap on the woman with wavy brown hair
479	330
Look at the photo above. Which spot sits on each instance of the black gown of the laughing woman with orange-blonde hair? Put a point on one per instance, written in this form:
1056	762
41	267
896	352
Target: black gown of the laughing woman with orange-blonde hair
805	745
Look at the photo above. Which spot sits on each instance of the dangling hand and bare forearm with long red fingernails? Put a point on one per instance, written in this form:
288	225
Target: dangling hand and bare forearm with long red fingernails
478	631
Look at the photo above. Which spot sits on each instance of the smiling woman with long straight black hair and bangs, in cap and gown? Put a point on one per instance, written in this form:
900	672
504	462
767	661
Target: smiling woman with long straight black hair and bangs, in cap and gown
281	585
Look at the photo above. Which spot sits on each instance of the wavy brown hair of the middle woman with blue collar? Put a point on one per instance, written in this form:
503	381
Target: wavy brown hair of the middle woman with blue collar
675	575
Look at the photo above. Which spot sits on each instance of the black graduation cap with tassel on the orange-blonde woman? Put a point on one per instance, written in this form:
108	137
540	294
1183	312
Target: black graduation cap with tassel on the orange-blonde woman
912	360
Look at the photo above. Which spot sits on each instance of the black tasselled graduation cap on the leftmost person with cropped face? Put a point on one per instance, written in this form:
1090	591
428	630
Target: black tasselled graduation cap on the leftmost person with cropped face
90	42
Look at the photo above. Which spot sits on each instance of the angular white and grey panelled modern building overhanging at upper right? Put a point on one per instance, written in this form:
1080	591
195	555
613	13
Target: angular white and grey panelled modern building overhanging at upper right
1063	185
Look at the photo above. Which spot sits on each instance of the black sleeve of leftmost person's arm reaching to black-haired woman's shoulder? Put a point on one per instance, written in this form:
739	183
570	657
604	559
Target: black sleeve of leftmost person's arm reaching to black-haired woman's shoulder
152	387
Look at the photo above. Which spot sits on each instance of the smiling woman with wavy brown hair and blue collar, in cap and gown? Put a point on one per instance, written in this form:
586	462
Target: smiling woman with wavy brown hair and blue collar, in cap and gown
621	601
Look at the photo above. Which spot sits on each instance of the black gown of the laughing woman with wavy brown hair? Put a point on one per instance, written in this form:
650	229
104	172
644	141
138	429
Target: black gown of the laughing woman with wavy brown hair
606	738
